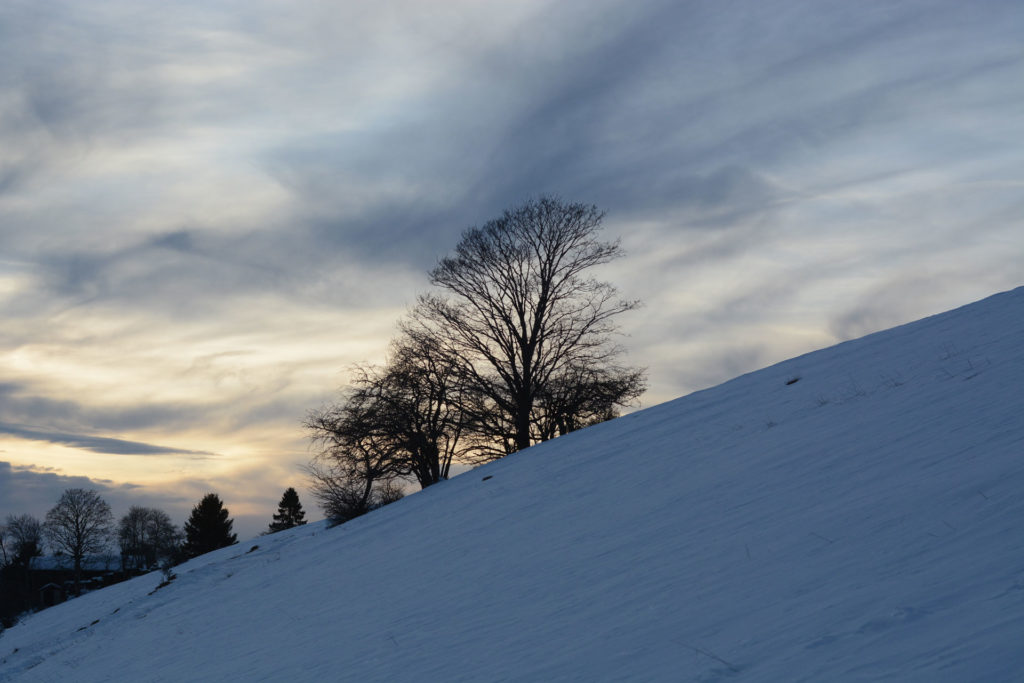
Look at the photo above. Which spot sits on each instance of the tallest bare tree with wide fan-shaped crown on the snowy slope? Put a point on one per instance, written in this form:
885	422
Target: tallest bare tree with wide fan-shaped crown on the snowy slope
530	326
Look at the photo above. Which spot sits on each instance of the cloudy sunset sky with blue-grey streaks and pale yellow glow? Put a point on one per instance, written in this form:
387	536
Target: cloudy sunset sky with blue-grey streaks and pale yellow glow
210	210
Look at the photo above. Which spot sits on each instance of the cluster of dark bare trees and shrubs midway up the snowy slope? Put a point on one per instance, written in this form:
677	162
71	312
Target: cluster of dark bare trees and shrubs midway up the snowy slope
515	348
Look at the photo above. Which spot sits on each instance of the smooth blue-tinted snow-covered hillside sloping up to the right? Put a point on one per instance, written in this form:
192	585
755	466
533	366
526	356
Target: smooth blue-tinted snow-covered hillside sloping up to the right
857	514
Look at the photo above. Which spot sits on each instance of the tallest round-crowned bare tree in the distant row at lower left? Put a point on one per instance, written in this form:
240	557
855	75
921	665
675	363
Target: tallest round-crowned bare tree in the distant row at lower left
79	525
